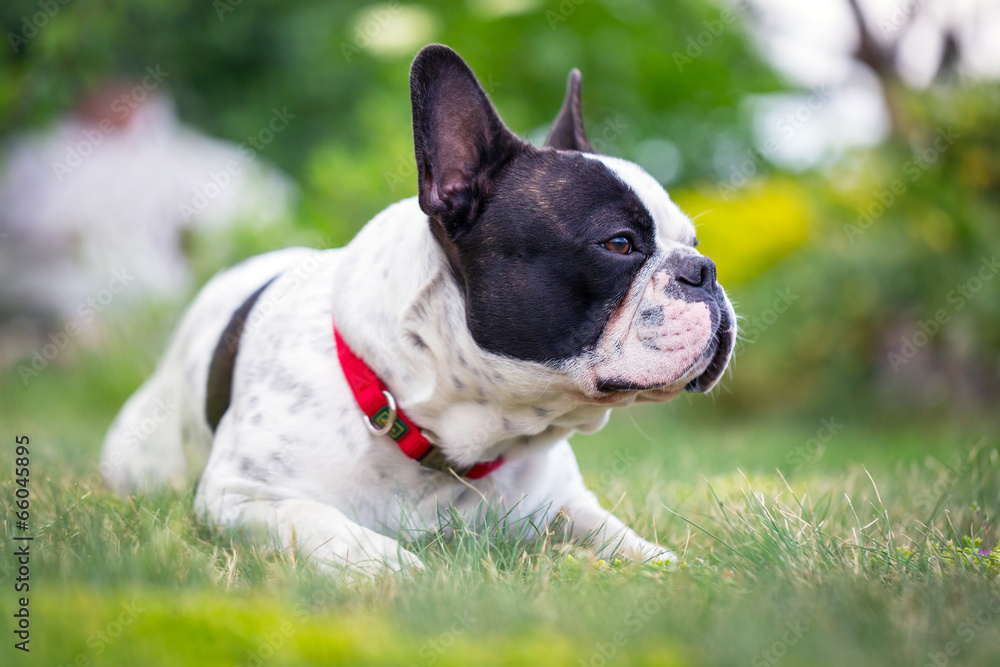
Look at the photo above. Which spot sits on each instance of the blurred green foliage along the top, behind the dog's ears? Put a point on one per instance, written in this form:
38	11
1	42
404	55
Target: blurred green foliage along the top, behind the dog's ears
229	64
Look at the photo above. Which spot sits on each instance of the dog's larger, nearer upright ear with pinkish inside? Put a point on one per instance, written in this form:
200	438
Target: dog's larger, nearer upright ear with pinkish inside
459	139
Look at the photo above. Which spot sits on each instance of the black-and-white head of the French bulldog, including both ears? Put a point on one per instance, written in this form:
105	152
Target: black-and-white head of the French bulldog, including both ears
567	258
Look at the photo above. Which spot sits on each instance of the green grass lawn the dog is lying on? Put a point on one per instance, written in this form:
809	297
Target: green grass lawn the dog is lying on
865	550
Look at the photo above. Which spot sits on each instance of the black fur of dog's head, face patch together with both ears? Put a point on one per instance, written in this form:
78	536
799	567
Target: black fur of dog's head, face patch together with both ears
544	242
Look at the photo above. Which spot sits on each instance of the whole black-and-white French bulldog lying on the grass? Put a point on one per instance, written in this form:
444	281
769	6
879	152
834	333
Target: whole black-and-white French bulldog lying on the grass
339	399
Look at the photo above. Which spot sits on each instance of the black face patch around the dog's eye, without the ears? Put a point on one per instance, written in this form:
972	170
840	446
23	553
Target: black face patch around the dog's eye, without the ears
539	282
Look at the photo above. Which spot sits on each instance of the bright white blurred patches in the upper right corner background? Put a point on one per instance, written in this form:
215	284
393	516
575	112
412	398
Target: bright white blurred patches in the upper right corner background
815	44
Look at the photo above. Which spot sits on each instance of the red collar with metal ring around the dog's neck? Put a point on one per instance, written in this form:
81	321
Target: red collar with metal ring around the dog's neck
379	407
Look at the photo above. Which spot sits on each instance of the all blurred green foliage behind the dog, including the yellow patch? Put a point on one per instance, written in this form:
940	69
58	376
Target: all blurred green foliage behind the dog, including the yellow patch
341	69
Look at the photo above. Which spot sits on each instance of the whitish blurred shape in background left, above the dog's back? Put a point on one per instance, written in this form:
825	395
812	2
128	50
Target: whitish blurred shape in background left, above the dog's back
115	187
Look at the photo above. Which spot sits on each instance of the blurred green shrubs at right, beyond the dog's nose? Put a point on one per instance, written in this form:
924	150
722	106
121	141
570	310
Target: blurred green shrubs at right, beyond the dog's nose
899	294
